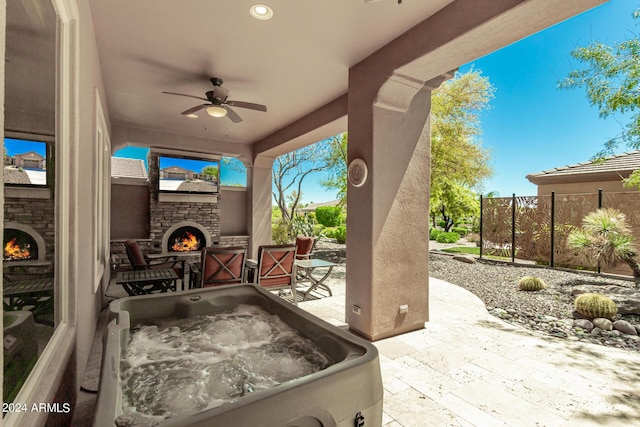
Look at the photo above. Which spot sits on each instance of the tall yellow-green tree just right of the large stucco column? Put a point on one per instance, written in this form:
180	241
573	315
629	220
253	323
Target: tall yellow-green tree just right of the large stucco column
458	162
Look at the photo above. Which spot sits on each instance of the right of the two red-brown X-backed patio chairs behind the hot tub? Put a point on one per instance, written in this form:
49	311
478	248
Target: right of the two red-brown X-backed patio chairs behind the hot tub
276	269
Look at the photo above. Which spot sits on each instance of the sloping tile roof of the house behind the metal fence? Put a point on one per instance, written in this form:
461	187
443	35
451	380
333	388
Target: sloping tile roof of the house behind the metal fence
621	164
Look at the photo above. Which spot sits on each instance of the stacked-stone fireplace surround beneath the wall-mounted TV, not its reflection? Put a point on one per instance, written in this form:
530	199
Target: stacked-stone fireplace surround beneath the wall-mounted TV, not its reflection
163	215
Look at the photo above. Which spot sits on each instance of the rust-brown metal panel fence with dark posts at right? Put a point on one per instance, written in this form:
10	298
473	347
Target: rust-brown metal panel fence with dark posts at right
536	228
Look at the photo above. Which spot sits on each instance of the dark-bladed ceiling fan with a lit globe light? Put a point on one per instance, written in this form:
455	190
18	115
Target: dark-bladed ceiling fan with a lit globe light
218	104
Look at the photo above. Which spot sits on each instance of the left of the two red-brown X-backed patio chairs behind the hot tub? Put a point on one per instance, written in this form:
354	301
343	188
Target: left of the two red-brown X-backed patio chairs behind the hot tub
221	266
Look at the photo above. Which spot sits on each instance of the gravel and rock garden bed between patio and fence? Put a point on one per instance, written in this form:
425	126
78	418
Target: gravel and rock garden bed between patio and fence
549	310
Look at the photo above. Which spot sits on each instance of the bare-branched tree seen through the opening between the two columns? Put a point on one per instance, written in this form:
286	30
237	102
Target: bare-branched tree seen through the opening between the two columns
289	172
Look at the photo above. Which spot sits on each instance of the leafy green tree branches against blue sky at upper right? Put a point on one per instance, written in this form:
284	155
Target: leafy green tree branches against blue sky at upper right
611	77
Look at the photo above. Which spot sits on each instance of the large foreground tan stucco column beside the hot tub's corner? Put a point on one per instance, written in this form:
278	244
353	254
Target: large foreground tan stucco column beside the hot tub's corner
388	228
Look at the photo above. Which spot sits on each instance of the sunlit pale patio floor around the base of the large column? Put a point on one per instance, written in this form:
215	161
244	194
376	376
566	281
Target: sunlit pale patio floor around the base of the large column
468	368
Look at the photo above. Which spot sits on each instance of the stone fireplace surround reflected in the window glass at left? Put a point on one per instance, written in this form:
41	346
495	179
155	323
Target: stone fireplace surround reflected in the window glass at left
38	214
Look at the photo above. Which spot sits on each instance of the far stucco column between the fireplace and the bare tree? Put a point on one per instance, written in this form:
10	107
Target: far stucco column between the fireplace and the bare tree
259	203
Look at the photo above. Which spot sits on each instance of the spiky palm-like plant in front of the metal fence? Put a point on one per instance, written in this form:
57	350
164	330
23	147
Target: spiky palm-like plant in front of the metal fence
607	240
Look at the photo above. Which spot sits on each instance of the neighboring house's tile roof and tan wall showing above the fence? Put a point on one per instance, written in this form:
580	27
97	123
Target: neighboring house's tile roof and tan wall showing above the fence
588	177
